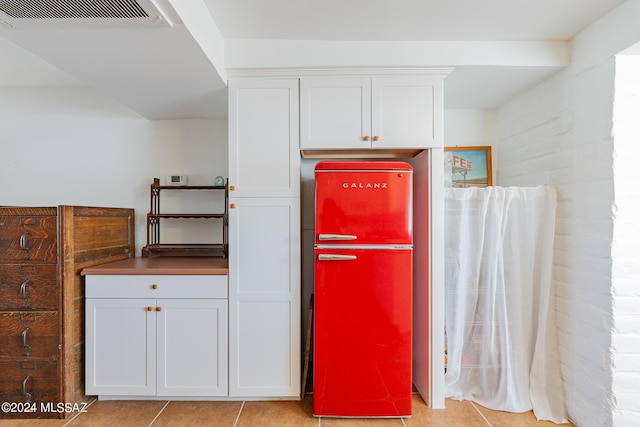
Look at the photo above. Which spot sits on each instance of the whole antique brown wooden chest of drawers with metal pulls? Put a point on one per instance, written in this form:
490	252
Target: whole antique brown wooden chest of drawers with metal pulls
42	251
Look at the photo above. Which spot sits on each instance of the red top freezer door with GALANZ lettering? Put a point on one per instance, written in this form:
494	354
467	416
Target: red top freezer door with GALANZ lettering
364	207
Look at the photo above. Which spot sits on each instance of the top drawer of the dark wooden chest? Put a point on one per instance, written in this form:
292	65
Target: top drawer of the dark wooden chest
28	237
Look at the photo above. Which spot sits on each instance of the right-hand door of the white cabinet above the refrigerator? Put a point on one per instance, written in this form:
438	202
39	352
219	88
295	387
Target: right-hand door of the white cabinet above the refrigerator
406	112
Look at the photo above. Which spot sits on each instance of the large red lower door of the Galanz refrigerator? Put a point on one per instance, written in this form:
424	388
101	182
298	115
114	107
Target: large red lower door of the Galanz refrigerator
362	335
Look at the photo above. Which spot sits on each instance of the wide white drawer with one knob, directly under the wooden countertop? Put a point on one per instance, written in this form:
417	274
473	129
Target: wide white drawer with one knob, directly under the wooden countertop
156	286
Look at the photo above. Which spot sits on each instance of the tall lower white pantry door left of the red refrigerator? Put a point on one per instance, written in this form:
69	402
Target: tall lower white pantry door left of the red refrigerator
264	297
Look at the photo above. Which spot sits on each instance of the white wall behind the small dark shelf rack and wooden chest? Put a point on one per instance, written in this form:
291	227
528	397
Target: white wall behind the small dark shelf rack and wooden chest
71	145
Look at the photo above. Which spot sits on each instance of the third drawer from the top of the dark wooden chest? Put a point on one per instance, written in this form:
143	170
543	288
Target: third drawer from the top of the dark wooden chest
29	334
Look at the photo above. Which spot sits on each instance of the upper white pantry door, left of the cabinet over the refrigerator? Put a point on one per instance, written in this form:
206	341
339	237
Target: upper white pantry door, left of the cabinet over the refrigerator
264	158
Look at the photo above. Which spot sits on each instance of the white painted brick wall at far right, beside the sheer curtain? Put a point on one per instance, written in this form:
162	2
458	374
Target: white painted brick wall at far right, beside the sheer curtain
561	133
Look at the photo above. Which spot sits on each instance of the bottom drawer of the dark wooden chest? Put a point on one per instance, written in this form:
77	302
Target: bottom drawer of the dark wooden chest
33	381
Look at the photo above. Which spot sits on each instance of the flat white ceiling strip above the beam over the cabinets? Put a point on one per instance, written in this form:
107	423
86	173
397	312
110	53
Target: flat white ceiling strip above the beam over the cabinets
461	20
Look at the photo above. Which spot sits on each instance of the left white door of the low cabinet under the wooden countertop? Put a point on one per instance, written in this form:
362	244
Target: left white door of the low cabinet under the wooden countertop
120	347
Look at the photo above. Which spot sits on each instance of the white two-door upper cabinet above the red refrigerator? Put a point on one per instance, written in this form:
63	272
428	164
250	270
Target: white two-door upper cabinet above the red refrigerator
371	113
